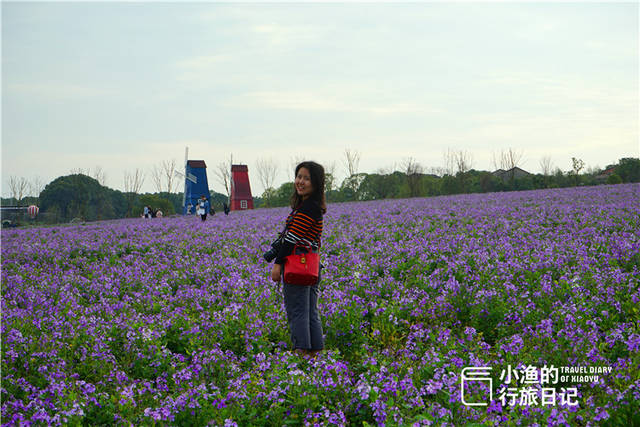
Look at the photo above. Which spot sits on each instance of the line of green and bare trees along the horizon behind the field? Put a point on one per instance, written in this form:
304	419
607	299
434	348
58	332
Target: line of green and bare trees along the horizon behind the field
79	196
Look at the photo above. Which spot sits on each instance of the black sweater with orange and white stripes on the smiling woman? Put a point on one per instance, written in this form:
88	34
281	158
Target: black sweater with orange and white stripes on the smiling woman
304	228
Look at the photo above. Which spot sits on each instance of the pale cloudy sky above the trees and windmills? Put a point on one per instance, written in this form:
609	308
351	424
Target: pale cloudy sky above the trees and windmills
126	86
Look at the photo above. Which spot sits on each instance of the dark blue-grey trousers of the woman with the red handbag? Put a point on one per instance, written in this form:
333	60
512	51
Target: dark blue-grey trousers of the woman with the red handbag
301	304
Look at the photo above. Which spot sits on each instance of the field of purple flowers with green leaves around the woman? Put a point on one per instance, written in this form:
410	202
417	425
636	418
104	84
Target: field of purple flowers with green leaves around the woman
174	321
